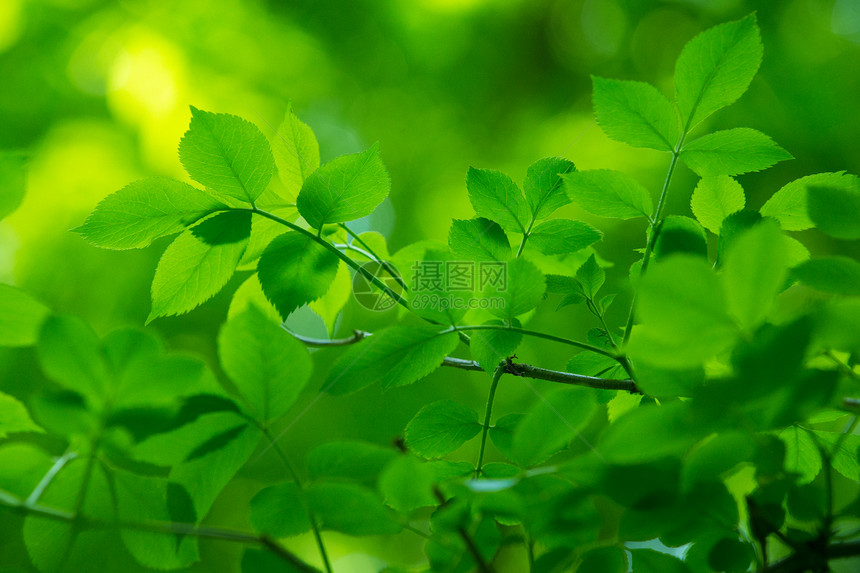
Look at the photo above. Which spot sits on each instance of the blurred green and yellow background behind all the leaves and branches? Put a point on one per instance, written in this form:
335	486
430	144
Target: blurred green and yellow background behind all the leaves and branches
96	94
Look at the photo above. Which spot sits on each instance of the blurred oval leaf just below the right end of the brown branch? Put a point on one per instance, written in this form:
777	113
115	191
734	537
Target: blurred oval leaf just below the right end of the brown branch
649	433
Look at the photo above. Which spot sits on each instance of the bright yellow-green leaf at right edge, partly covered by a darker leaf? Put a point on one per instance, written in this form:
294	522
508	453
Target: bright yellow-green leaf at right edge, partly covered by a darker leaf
789	204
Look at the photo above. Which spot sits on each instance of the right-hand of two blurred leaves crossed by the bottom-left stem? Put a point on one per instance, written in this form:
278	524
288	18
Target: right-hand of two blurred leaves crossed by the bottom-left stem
142	500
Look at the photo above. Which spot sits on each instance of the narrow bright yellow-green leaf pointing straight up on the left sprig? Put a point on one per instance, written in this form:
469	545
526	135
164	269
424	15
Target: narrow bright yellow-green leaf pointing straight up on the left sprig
296	152
